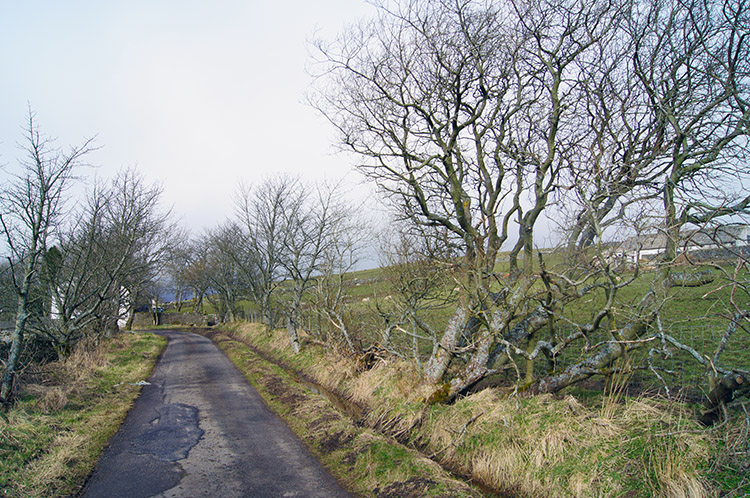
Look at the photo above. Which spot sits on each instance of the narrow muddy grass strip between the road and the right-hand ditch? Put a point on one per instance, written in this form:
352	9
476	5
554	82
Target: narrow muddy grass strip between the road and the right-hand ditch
366	462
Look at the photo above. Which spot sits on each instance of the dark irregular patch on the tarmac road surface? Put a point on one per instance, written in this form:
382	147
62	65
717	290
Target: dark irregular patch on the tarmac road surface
171	435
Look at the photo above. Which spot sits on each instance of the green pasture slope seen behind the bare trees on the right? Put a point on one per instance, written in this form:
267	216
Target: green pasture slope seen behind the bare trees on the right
697	317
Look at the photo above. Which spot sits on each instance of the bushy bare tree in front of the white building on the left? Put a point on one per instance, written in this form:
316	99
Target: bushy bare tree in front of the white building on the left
119	242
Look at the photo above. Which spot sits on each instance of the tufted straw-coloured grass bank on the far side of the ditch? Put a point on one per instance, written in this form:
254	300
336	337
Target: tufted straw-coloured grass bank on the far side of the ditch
581	443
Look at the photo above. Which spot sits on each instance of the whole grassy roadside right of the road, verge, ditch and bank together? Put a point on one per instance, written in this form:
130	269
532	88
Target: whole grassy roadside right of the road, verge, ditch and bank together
576	444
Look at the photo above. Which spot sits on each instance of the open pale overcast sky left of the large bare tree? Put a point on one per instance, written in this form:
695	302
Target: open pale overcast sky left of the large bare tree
198	95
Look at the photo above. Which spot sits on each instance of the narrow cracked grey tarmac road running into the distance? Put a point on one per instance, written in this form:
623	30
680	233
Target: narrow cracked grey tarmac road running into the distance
199	429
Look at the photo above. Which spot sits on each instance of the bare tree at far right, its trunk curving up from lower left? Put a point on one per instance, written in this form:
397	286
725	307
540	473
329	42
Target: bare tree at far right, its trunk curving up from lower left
691	69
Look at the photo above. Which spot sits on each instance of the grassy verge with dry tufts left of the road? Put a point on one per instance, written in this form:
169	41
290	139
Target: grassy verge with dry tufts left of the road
67	411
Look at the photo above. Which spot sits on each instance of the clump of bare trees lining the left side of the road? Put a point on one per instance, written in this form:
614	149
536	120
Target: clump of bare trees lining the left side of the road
73	268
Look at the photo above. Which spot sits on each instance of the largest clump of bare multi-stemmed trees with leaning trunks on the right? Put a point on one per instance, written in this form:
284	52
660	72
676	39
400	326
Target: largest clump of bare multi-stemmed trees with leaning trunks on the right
474	116
